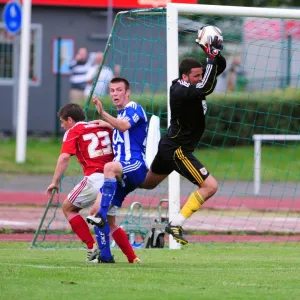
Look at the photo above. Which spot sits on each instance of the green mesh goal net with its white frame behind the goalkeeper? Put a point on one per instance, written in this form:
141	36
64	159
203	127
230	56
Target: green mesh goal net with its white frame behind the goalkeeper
258	94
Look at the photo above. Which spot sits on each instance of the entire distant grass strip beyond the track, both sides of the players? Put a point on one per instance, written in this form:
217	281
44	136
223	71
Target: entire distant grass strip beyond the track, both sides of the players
279	163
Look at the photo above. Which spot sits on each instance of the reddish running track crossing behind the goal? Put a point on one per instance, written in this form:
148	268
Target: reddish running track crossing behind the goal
21	212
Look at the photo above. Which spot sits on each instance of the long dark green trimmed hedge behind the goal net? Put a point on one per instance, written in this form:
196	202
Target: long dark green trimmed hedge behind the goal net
232	118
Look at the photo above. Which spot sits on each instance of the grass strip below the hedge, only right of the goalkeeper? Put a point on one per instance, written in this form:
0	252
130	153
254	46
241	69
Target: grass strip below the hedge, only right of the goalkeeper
278	163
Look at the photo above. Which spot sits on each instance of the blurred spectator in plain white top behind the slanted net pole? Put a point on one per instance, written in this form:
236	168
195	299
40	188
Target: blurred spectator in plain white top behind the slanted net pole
105	76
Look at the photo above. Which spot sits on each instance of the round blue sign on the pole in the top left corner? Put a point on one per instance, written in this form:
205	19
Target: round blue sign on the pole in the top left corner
12	17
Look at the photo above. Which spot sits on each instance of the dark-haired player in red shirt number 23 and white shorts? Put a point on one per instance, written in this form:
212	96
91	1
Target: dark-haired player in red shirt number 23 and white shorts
92	146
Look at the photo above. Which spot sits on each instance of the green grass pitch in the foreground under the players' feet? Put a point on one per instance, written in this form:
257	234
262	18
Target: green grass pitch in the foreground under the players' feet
218	271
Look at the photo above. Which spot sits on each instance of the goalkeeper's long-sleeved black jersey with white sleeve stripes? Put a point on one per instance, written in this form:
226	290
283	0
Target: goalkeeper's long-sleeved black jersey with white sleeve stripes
188	106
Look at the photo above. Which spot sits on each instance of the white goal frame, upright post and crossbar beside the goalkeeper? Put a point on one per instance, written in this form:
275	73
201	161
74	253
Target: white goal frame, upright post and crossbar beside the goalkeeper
173	9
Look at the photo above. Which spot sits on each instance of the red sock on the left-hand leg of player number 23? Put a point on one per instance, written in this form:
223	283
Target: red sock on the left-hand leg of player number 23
81	228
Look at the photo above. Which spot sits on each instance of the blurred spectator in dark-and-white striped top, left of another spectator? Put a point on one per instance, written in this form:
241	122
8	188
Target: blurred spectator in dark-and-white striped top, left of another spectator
79	68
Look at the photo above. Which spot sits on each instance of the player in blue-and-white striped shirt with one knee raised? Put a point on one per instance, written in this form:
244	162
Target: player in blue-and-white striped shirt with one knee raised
128	170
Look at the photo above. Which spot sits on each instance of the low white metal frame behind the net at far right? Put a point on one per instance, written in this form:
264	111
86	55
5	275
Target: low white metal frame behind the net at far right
258	138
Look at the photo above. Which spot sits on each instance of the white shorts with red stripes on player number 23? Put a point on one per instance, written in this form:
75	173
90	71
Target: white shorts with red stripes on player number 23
84	194
